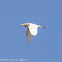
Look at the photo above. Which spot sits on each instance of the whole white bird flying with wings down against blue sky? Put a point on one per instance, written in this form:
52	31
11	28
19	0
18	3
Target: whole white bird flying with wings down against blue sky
32	30
